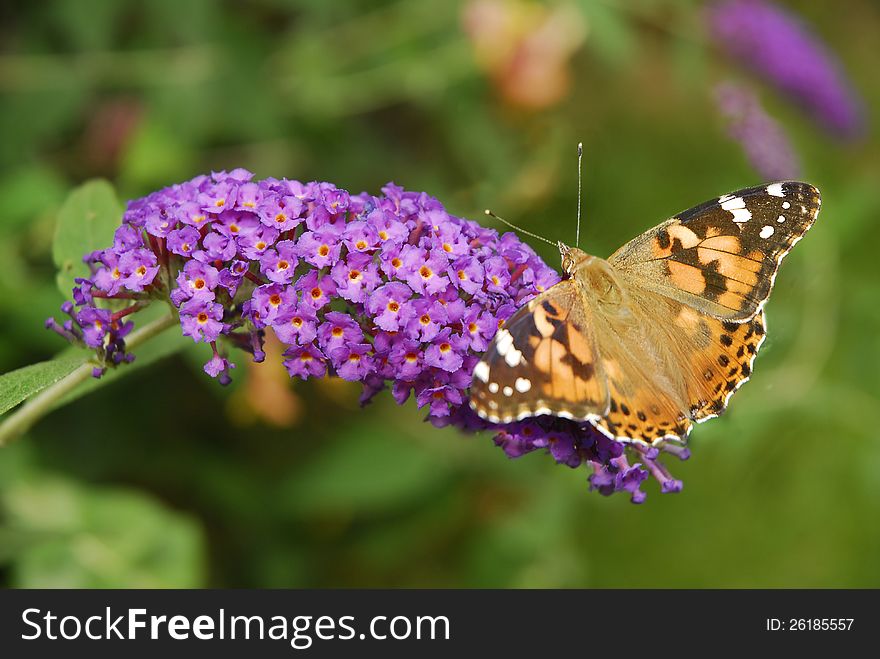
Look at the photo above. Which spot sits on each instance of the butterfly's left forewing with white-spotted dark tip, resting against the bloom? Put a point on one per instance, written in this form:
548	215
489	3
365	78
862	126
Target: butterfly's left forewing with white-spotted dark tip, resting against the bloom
542	361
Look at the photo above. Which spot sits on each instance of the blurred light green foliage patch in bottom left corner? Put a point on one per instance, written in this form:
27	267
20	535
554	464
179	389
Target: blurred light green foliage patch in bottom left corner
66	535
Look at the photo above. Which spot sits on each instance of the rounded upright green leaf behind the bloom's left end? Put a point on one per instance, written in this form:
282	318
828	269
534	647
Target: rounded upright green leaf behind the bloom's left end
86	222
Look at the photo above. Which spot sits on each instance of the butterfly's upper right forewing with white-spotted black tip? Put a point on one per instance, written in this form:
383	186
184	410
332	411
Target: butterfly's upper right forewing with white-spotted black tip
721	257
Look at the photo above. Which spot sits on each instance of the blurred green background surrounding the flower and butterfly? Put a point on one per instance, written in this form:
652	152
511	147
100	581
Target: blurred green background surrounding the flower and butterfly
165	479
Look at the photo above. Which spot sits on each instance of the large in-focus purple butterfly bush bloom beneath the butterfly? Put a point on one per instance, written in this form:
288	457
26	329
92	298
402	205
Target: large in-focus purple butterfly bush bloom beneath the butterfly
390	290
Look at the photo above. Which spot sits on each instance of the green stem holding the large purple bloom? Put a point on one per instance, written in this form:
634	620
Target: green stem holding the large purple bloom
22	419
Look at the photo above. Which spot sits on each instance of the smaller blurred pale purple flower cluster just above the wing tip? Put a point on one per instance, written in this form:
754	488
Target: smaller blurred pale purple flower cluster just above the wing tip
762	138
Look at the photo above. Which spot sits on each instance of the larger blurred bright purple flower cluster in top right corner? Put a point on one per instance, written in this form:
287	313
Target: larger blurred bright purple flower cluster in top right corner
777	46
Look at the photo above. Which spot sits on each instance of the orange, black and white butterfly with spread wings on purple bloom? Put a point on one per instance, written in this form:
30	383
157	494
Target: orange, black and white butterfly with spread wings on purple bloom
661	334
